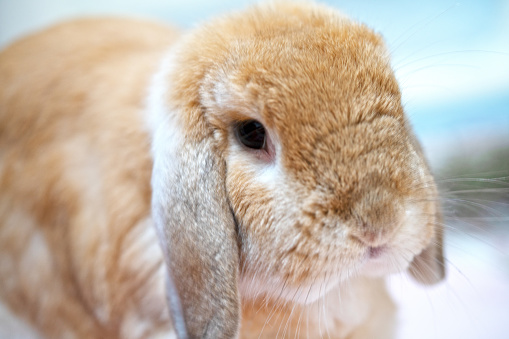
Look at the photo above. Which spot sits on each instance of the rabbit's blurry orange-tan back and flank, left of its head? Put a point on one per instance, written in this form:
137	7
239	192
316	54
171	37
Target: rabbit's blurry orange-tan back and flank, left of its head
78	254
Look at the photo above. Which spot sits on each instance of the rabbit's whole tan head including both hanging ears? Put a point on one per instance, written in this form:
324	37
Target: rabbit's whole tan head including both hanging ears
283	165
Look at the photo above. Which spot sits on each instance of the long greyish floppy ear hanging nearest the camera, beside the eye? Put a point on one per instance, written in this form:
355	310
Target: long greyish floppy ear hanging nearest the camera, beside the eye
197	231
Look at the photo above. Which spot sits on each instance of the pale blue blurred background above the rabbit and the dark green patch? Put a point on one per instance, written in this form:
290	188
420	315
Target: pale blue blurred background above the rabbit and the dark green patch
451	57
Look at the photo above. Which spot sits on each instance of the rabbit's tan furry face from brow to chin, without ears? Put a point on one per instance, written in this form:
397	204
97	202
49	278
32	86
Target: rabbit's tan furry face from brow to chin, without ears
339	187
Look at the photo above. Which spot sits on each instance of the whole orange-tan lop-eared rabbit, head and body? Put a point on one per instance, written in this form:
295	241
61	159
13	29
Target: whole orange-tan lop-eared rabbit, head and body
255	177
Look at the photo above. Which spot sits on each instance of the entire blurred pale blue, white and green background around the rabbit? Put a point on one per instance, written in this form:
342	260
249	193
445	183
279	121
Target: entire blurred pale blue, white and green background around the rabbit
452	61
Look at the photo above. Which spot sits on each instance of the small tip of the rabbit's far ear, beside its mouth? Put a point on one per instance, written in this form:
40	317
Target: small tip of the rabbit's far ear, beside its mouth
429	266
